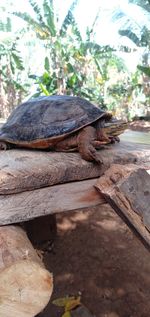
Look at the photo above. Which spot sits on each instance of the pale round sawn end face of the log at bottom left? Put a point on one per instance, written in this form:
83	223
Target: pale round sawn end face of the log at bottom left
25	289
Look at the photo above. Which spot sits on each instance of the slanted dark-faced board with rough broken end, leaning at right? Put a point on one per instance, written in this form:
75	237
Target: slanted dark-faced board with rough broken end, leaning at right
127	189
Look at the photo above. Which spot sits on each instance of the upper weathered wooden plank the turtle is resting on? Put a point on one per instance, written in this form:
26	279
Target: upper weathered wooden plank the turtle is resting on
22	170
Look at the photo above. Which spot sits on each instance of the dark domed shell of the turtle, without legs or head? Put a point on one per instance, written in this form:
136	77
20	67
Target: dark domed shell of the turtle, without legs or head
51	117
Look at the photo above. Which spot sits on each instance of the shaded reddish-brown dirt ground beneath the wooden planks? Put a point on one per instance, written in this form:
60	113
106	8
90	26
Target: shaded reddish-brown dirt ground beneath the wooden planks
96	254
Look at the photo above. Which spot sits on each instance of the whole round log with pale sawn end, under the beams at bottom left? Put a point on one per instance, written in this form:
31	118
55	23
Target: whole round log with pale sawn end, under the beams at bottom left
25	284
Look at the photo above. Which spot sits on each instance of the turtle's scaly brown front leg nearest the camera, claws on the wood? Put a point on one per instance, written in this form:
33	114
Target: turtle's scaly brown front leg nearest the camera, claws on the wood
85	141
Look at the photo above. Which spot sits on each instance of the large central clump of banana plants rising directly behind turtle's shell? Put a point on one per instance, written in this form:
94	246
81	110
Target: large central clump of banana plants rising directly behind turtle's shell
72	66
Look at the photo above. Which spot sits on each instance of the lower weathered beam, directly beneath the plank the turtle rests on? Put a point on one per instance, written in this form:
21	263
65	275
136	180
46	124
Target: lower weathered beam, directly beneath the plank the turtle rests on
49	200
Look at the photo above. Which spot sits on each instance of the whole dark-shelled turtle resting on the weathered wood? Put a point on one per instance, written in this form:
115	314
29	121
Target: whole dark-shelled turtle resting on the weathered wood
60	123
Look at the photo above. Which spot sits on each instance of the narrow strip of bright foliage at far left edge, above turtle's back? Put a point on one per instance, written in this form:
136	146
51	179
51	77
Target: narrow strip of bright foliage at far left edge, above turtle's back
11	66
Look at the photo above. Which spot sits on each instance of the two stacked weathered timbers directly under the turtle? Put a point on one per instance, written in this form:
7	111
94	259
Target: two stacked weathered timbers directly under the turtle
36	183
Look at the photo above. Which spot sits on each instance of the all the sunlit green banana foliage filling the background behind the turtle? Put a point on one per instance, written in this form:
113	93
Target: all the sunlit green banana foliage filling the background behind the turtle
76	66
